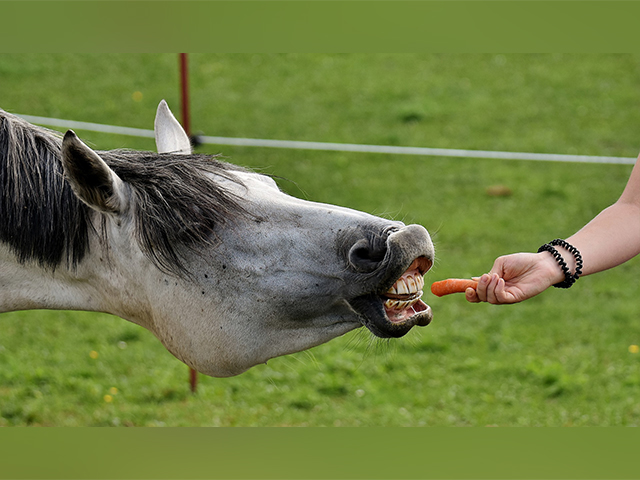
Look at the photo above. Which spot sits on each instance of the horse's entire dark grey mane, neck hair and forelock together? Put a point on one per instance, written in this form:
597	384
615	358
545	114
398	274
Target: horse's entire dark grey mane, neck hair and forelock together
176	206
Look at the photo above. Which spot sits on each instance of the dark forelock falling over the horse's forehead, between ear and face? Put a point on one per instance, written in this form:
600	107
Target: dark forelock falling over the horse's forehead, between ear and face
175	205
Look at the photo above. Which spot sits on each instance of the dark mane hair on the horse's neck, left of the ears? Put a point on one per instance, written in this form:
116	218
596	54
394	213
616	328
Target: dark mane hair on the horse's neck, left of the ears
41	219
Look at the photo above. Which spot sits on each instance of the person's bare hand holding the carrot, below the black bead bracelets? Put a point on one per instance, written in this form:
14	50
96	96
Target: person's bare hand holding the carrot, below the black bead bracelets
515	278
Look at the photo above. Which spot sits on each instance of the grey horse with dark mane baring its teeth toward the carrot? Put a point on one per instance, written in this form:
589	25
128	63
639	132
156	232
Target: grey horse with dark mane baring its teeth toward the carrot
224	268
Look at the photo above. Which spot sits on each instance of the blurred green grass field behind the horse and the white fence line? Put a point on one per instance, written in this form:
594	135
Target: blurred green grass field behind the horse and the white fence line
561	359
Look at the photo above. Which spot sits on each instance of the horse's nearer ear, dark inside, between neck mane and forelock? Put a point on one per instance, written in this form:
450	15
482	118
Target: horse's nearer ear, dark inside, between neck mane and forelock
90	177
